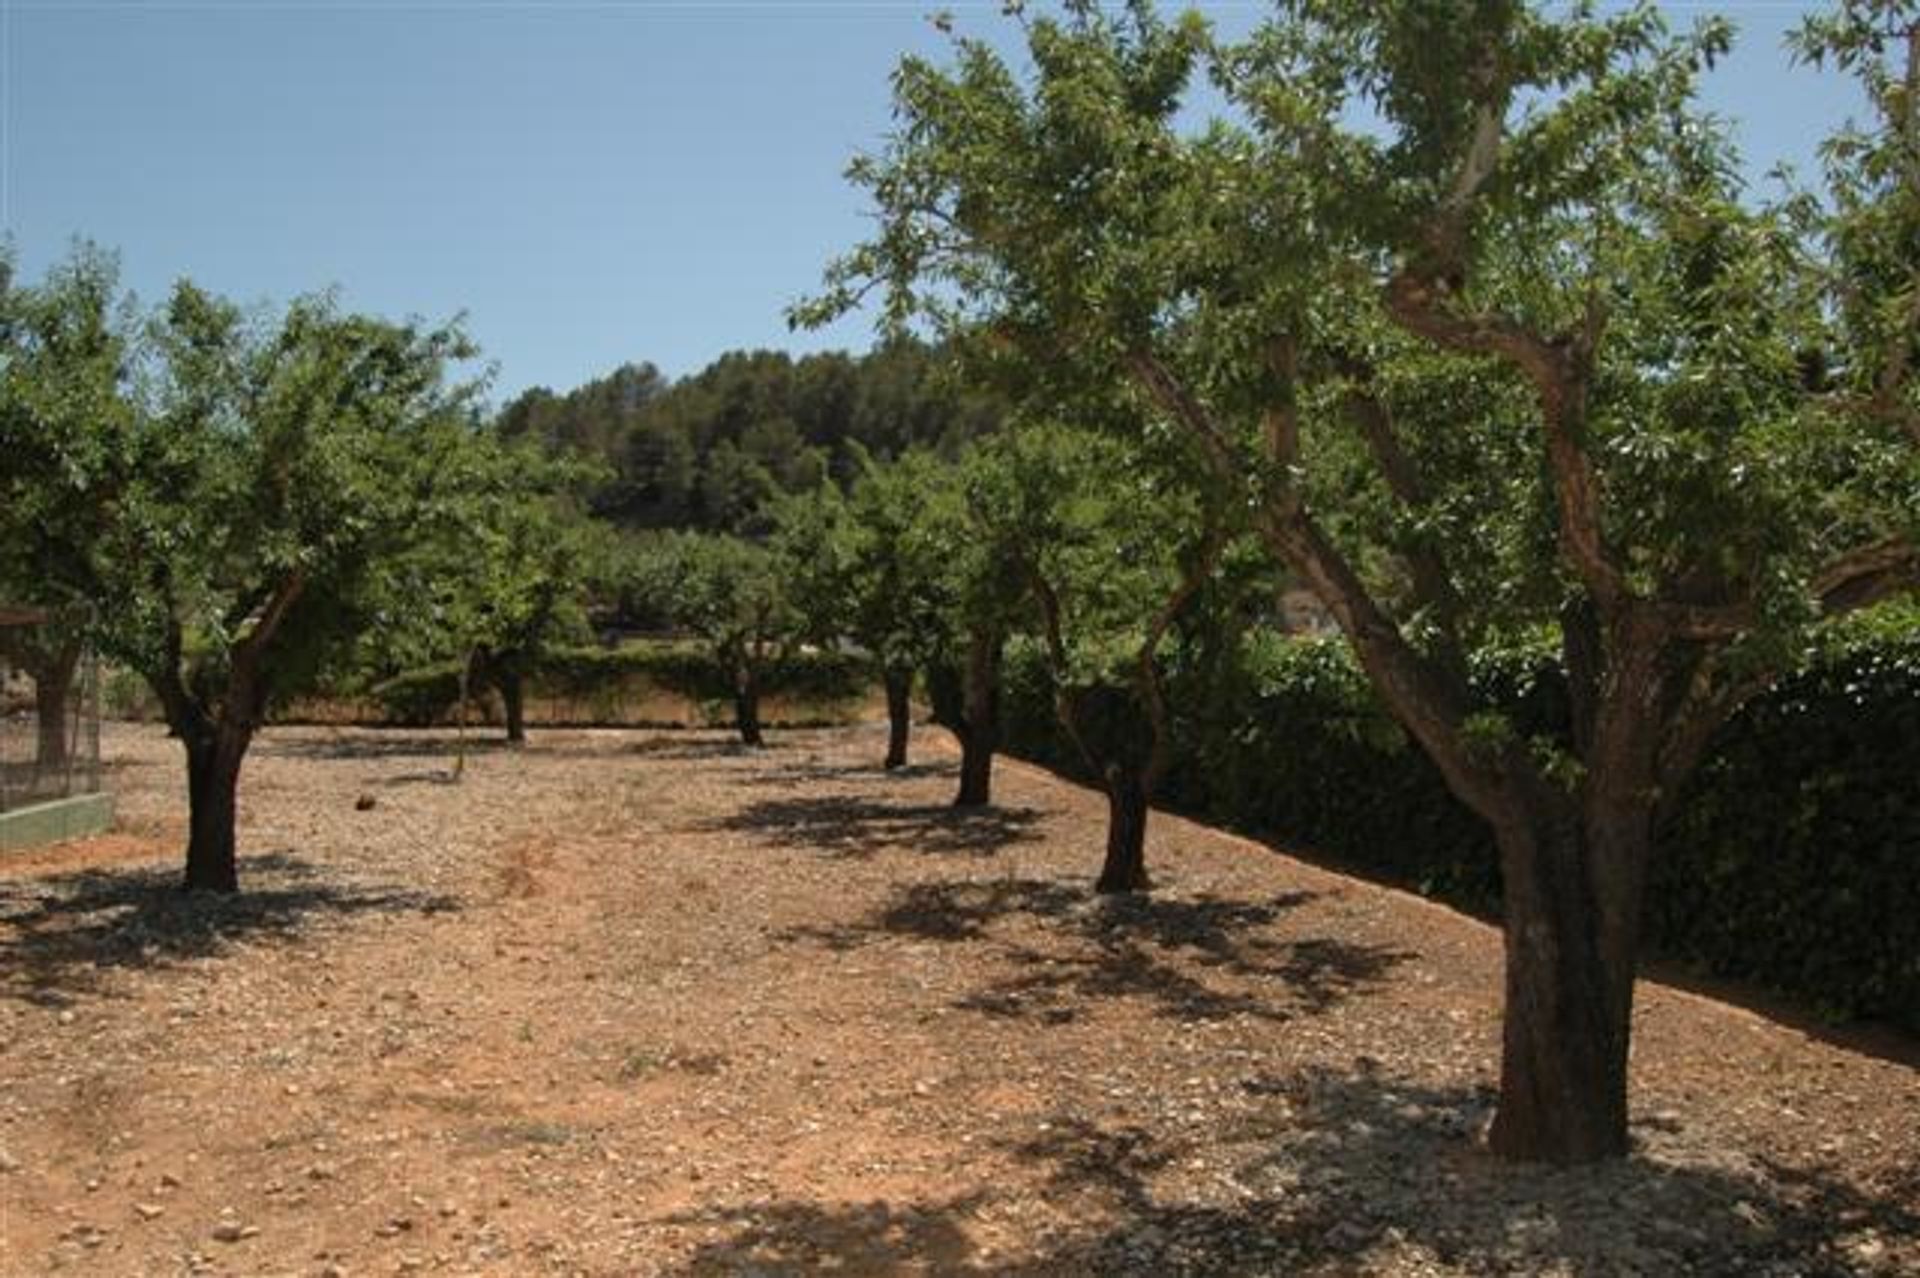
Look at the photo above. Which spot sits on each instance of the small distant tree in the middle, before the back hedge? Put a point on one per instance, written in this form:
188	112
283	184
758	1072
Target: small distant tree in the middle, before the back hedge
731	594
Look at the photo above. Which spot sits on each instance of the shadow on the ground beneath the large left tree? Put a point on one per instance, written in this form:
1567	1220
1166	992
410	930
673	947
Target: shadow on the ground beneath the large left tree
59	934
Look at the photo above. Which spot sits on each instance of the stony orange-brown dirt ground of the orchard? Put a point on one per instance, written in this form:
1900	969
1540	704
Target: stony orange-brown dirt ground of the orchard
640	1003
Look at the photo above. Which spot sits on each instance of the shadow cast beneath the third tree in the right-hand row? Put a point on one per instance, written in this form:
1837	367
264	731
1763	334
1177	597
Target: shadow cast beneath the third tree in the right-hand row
859	828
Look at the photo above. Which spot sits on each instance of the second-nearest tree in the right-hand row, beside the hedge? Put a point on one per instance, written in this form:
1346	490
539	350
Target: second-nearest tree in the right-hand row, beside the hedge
1111	550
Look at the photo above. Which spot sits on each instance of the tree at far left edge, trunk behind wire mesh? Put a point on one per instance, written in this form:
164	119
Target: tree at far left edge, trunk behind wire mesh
64	414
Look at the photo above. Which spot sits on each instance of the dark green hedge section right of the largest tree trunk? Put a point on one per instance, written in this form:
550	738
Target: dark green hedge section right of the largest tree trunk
1796	857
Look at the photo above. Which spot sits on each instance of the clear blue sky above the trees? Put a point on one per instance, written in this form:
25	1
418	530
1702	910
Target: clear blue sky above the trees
588	181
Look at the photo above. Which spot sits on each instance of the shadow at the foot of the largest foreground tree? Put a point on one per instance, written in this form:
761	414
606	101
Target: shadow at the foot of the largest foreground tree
1328	1173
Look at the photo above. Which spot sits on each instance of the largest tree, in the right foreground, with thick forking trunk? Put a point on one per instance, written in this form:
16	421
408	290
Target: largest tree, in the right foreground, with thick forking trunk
1520	358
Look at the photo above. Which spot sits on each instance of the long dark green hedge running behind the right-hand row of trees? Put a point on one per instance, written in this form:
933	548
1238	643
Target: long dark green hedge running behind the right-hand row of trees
1794	861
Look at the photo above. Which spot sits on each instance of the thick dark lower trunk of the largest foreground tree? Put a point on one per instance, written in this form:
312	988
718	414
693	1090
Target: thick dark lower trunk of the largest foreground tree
1573	886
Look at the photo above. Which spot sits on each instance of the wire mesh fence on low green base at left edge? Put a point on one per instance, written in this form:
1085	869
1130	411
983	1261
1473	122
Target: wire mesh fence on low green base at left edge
49	707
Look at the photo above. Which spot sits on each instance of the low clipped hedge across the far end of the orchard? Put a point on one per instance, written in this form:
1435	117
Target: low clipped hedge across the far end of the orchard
625	686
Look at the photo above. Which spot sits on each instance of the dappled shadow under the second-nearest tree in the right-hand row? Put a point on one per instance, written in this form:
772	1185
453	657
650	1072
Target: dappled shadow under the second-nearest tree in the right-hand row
1161	951
